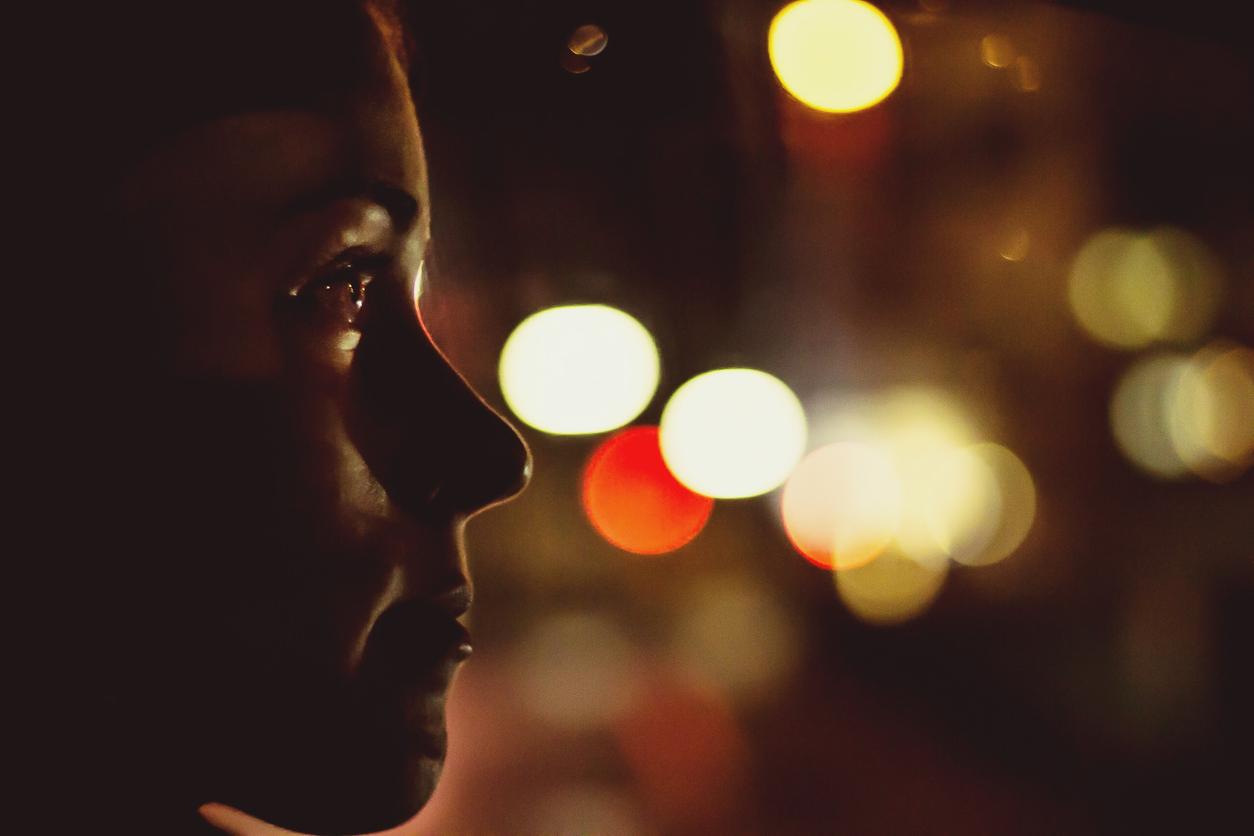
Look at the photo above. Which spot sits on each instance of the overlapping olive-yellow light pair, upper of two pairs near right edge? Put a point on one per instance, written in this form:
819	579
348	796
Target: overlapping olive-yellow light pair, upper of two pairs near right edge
1129	289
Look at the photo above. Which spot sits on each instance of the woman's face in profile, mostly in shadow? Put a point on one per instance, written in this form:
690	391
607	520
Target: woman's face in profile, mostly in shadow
308	462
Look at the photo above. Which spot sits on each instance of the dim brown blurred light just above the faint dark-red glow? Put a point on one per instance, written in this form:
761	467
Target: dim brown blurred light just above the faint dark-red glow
737	635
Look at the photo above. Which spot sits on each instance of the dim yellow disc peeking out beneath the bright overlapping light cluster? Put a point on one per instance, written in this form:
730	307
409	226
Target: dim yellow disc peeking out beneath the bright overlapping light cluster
891	590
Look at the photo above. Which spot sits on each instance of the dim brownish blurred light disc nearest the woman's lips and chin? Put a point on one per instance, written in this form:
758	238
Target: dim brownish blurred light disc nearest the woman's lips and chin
577	671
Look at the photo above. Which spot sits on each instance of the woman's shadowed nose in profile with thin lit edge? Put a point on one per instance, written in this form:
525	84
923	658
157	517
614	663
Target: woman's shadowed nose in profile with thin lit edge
437	448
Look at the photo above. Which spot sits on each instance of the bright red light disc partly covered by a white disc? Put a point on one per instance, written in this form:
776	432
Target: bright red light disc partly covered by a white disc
635	502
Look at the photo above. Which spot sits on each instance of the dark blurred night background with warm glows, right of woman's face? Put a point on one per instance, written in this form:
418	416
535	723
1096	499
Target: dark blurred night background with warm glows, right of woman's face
924	251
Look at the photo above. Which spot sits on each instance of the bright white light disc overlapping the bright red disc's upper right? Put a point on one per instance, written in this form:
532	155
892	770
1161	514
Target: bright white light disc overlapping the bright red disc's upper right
733	433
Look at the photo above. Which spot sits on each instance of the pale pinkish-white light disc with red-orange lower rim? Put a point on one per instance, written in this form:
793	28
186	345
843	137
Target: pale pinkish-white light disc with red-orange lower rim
842	506
